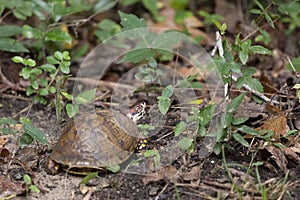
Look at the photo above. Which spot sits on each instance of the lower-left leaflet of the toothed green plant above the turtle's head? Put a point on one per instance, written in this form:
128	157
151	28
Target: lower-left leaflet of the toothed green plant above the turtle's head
138	55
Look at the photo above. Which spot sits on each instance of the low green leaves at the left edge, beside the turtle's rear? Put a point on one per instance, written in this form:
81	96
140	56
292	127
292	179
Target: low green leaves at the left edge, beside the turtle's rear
29	132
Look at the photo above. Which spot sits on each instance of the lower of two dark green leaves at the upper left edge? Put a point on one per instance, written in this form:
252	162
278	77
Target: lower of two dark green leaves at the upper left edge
11	45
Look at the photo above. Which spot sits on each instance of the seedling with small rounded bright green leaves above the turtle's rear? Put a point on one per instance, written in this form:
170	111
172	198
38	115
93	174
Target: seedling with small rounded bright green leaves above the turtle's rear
41	86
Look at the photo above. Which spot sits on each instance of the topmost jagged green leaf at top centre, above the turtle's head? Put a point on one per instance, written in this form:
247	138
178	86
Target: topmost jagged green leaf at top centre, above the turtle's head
130	21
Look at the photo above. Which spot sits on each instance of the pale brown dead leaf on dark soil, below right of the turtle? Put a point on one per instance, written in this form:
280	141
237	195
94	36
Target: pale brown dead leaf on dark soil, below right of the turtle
168	173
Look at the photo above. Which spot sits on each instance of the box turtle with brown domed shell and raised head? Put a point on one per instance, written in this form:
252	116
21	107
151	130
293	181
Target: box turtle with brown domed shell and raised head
96	140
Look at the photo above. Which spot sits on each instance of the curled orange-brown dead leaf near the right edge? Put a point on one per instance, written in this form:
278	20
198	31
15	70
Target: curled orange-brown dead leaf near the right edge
278	125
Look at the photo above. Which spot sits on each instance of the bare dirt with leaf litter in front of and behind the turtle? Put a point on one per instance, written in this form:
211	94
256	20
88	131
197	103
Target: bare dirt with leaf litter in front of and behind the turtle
196	178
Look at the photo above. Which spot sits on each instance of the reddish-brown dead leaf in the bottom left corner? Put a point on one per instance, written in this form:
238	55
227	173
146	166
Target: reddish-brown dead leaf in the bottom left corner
8	187
